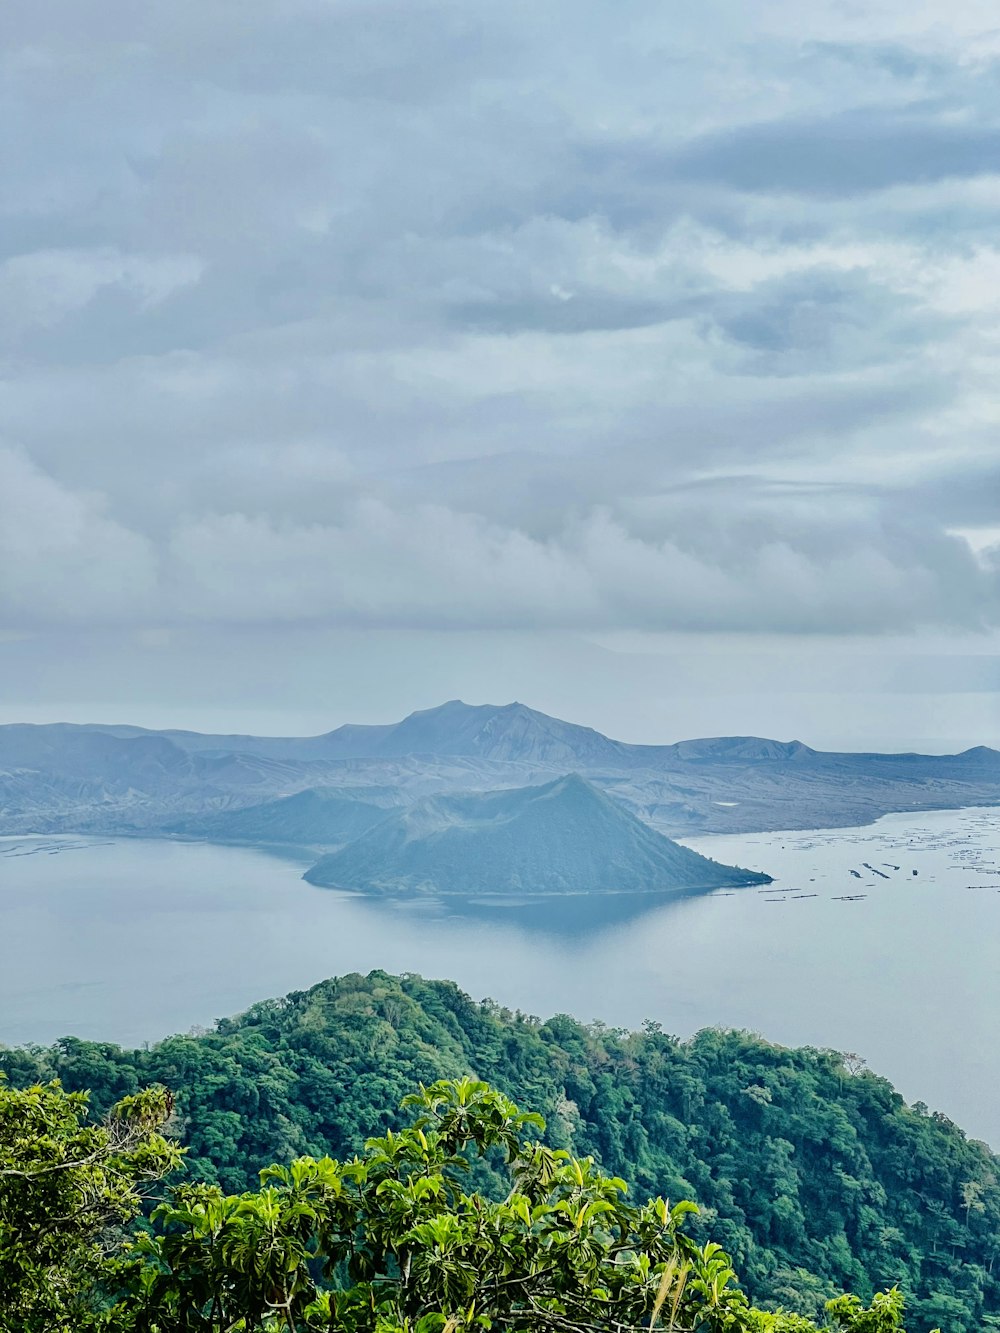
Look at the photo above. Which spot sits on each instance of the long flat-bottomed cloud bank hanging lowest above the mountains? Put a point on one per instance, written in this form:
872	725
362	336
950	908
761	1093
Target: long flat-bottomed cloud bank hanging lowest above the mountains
743	558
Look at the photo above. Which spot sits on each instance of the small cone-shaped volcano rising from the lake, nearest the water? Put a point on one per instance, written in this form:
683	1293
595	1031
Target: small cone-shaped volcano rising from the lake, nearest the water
562	838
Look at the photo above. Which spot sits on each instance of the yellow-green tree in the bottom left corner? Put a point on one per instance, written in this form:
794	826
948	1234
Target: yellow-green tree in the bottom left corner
66	1187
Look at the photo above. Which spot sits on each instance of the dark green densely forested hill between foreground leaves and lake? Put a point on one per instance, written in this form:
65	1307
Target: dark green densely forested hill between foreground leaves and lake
810	1170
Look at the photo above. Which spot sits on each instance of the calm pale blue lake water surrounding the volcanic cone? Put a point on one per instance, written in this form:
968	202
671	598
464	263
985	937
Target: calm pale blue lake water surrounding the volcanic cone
130	940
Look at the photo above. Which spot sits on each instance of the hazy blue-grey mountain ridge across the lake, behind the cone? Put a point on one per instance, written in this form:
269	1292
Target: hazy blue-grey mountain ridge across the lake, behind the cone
317	791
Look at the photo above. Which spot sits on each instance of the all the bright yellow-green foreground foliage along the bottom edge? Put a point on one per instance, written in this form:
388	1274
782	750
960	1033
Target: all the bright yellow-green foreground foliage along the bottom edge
389	1242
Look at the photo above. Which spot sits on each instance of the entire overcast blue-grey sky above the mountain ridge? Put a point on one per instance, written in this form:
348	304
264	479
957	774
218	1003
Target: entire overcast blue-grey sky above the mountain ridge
634	361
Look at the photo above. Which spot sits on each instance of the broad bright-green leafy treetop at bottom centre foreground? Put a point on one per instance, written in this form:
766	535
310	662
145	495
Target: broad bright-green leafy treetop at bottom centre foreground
391	1243
